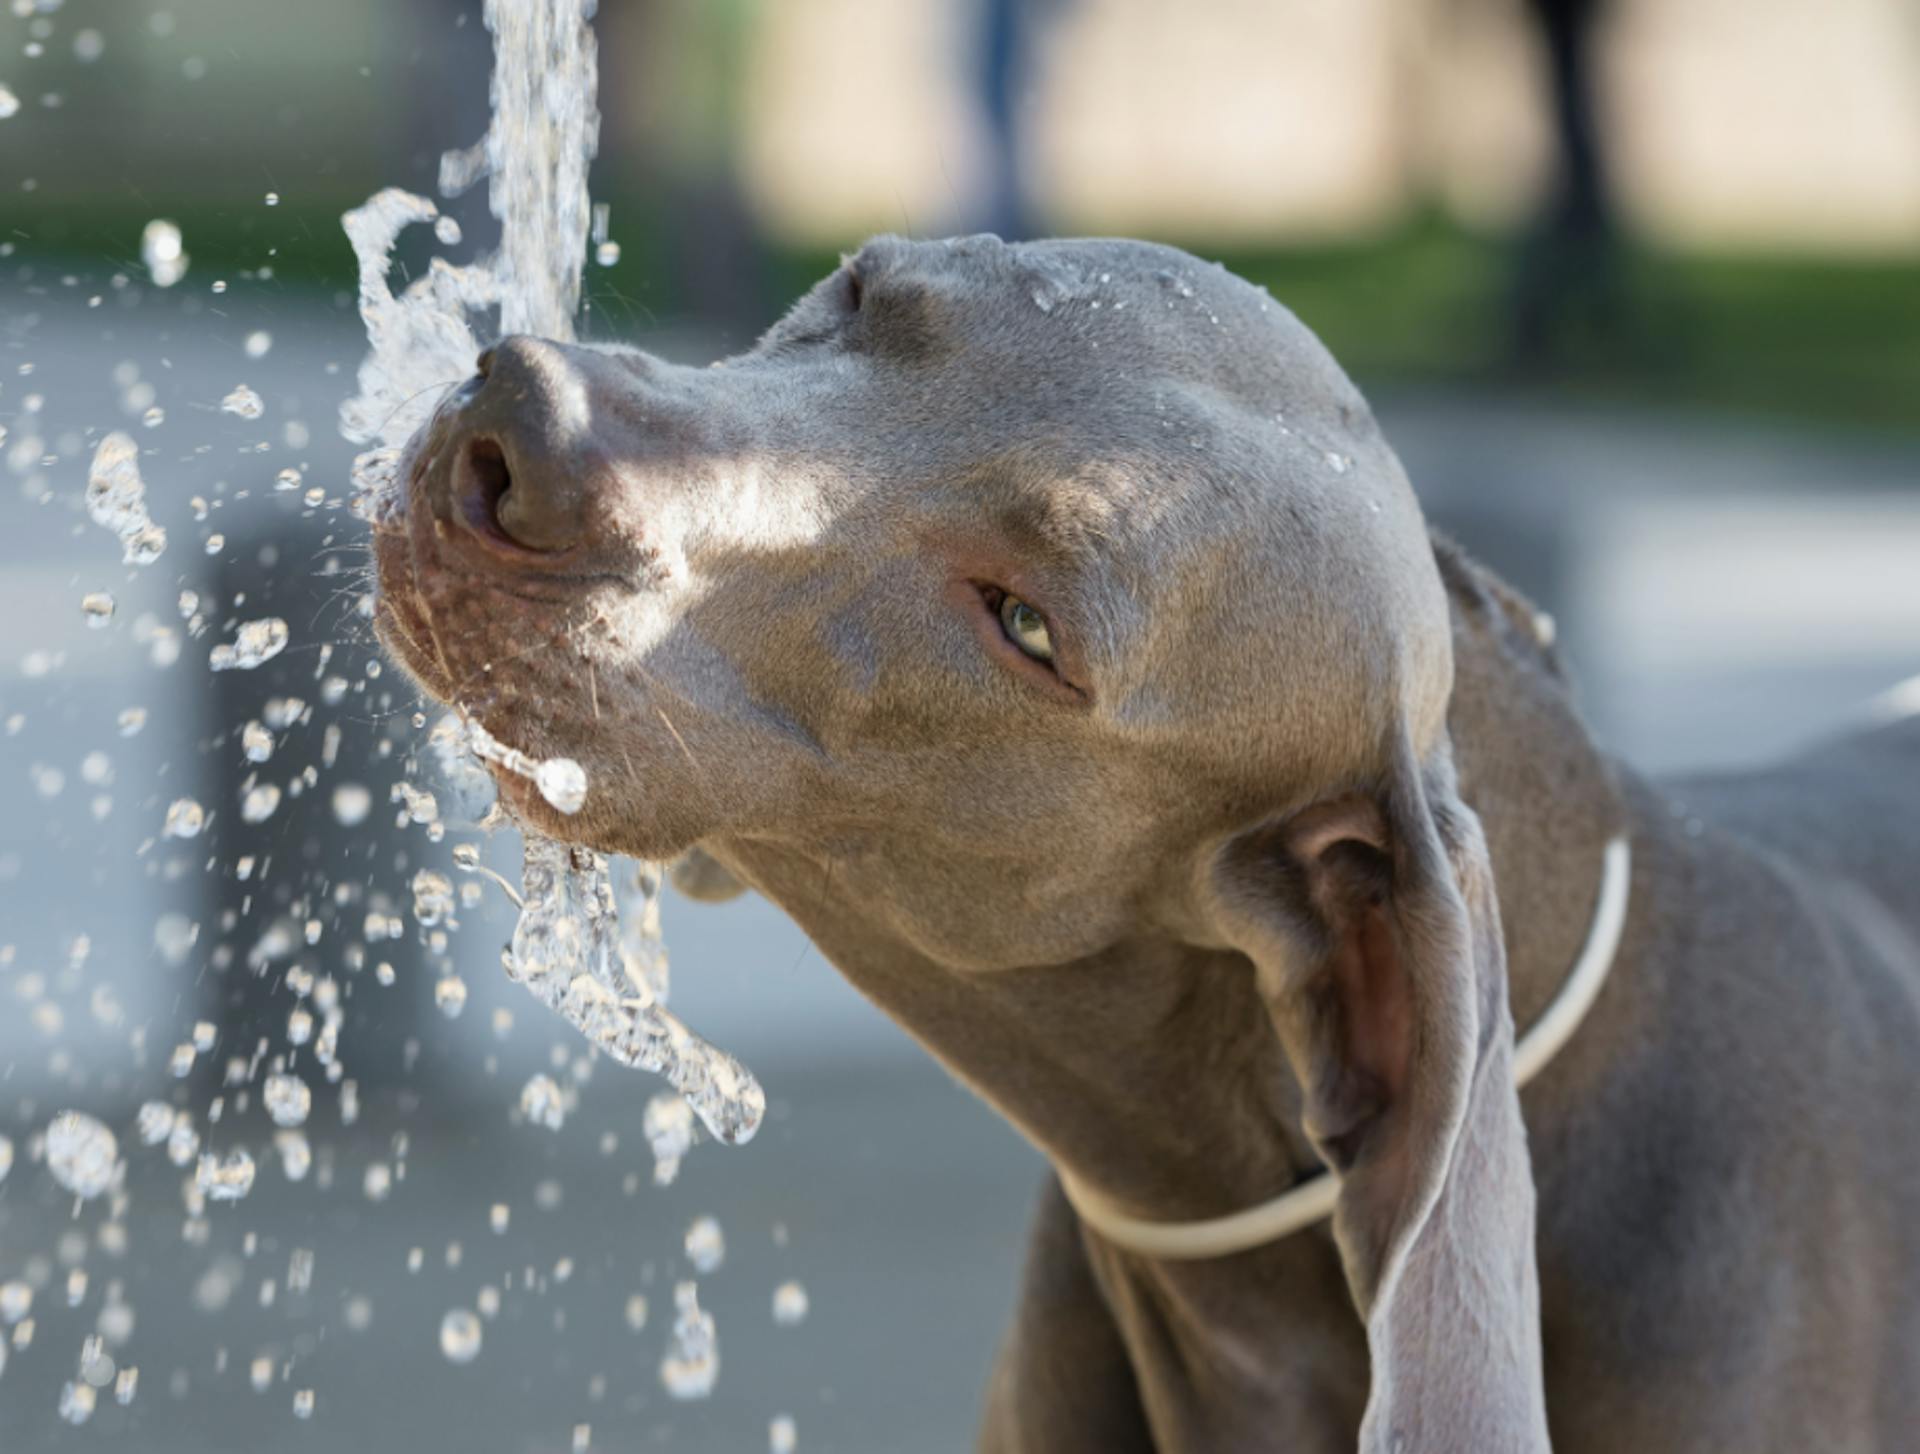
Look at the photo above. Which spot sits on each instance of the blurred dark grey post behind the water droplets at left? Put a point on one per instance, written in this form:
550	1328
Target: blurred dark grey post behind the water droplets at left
320	879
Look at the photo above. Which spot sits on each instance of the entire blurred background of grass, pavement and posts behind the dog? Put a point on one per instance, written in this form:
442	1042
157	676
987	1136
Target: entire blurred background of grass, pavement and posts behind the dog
1635	287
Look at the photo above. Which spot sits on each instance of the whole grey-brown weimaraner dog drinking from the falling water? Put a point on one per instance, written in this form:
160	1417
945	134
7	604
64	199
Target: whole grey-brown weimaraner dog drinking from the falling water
1053	635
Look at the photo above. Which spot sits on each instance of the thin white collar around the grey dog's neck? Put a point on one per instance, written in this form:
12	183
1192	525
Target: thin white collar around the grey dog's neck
1312	1201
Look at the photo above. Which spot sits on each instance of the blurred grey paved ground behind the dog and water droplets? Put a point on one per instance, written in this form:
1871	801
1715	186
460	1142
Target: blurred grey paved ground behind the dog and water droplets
1725	589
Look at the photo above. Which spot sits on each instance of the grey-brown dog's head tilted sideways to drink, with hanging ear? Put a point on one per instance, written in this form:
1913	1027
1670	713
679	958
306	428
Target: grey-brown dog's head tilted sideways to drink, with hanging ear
1057	593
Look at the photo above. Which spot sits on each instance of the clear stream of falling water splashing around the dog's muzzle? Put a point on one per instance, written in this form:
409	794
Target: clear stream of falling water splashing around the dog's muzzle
569	948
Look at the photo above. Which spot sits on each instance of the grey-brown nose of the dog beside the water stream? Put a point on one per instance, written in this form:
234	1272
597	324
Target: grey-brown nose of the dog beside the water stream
521	468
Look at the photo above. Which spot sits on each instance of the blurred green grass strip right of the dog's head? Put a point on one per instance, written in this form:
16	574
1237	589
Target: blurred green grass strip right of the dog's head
1802	339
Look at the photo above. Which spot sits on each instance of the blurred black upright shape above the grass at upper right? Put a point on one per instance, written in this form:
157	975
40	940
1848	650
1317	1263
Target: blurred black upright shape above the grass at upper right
1570	268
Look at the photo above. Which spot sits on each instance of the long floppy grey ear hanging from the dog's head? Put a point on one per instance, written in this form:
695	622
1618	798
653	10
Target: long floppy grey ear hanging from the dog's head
1376	933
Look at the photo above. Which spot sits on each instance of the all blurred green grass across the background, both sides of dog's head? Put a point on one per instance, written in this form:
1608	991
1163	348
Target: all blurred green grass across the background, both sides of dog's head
1812	339
